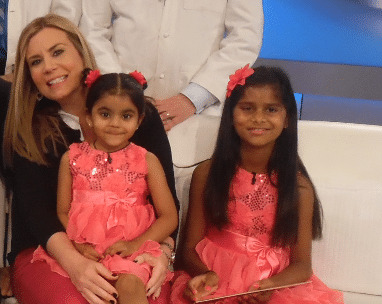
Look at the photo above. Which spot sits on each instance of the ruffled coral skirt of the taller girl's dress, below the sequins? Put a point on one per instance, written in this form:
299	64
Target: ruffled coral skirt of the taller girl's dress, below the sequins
240	261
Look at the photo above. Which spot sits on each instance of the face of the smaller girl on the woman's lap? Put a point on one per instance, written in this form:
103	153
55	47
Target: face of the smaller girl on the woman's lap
114	119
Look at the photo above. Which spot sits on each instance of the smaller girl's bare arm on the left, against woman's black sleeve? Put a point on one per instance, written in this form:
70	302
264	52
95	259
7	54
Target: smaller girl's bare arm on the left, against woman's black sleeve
64	190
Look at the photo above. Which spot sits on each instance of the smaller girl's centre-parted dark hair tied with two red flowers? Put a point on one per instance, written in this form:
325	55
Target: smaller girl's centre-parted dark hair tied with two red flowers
116	84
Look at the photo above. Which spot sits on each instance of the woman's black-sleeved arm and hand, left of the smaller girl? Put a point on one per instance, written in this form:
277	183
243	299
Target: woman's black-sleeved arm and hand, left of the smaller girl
34	210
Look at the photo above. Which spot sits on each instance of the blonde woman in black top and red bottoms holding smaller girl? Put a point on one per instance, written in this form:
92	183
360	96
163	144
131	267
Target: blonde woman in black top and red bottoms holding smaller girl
46	113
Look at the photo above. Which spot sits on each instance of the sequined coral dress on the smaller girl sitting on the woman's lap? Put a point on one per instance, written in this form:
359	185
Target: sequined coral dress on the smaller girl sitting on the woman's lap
109	203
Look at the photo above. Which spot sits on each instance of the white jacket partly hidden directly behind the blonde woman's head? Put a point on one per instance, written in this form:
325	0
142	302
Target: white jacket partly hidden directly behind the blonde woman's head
22	12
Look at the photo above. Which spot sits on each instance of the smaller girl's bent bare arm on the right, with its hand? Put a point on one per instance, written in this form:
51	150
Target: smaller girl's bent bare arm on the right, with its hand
167	216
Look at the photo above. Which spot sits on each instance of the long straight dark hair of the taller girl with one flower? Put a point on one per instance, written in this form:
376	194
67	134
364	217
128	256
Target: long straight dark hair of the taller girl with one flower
284	161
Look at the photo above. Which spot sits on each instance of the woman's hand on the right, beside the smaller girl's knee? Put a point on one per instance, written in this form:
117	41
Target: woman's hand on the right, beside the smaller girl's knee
160	267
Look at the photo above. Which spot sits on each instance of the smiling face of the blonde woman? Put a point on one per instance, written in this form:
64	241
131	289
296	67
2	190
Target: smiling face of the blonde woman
56	66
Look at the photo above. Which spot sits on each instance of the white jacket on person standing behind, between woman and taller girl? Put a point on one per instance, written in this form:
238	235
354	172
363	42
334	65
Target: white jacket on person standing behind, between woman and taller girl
174	42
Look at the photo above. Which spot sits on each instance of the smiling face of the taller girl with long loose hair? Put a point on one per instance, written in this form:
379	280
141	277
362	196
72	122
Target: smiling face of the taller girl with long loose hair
260	117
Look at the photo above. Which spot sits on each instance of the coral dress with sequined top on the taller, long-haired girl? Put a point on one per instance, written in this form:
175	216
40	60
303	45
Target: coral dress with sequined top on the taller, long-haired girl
241	253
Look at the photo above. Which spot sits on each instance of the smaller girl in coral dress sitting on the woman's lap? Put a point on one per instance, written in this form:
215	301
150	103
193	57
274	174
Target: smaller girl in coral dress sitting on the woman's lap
105	186
